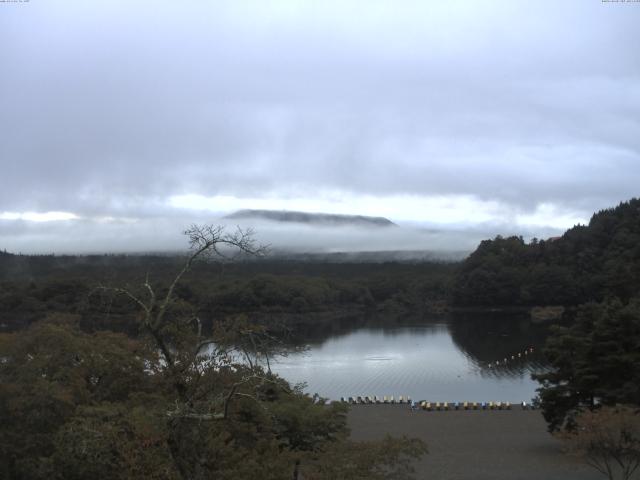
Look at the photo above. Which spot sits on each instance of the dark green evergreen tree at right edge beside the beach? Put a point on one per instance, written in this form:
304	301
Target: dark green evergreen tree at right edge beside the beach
594	362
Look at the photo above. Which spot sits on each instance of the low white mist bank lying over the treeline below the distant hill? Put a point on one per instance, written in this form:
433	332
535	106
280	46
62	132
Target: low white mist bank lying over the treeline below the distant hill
83	236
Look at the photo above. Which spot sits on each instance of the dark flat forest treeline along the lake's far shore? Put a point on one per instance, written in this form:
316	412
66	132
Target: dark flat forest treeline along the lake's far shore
268	291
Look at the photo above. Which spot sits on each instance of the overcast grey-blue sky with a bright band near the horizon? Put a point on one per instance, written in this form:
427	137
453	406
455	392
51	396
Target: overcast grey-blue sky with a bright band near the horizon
123	121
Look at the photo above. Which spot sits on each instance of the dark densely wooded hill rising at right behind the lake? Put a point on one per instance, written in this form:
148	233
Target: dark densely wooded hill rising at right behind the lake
587	263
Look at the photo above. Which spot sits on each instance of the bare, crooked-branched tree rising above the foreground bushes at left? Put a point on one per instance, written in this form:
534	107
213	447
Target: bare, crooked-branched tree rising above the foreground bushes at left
198	368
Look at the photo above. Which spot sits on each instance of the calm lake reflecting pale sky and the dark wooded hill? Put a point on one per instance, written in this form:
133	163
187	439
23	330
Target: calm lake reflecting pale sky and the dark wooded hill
445	359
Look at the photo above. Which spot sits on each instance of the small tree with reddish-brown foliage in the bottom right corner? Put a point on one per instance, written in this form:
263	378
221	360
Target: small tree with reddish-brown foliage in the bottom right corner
609	440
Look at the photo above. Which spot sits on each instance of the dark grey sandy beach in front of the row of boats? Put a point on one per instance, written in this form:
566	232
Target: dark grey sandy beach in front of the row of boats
474	445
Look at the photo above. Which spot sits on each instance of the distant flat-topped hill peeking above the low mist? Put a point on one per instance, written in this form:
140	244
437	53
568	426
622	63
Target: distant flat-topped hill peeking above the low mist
286	216
